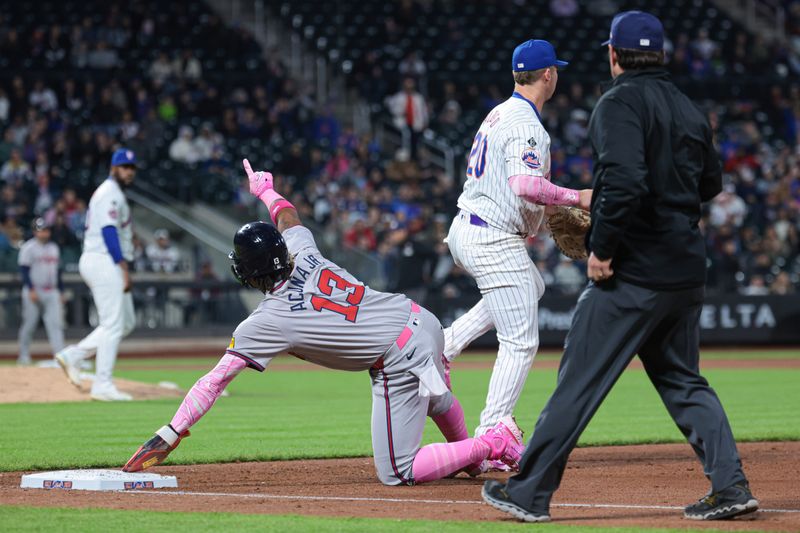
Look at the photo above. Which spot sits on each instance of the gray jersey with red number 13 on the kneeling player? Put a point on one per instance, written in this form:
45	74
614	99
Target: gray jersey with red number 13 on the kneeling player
322	314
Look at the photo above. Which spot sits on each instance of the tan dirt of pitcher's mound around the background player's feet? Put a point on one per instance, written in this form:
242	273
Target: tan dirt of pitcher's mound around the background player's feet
44	385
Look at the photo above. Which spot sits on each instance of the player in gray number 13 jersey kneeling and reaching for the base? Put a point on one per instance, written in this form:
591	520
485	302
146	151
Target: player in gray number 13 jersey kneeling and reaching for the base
317	311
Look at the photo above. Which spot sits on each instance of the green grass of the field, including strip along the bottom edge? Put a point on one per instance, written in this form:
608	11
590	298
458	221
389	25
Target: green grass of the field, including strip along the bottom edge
272	415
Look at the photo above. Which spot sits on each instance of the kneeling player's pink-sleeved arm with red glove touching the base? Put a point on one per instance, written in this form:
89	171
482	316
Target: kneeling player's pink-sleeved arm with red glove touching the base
196	403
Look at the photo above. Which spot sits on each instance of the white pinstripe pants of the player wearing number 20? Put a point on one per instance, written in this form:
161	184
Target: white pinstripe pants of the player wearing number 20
511	287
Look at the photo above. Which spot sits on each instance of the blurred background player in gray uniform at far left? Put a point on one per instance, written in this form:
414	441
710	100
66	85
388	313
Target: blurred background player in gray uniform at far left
41	292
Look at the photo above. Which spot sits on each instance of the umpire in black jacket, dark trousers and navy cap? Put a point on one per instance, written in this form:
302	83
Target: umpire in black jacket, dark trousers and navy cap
654	165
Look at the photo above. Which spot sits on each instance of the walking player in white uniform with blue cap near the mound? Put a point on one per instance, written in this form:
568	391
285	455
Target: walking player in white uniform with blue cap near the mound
107	248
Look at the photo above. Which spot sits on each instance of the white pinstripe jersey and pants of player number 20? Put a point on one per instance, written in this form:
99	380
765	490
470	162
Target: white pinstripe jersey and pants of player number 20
487	239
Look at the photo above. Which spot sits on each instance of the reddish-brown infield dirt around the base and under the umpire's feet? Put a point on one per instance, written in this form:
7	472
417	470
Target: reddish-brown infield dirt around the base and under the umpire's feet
630	481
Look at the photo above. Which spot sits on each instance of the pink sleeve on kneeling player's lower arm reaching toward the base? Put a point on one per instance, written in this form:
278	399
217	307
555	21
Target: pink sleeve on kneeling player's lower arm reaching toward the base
205	392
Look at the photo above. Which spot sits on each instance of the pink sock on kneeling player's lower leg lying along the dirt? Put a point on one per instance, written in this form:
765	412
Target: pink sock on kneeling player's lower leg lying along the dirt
436	461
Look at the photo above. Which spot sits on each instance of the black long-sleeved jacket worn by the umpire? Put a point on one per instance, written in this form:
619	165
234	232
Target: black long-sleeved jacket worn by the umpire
654	163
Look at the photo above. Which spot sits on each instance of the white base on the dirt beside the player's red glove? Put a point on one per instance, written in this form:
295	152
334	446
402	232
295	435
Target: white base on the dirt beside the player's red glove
97	480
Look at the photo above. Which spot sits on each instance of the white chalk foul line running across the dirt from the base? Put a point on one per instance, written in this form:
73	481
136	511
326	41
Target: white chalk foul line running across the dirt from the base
409	500
